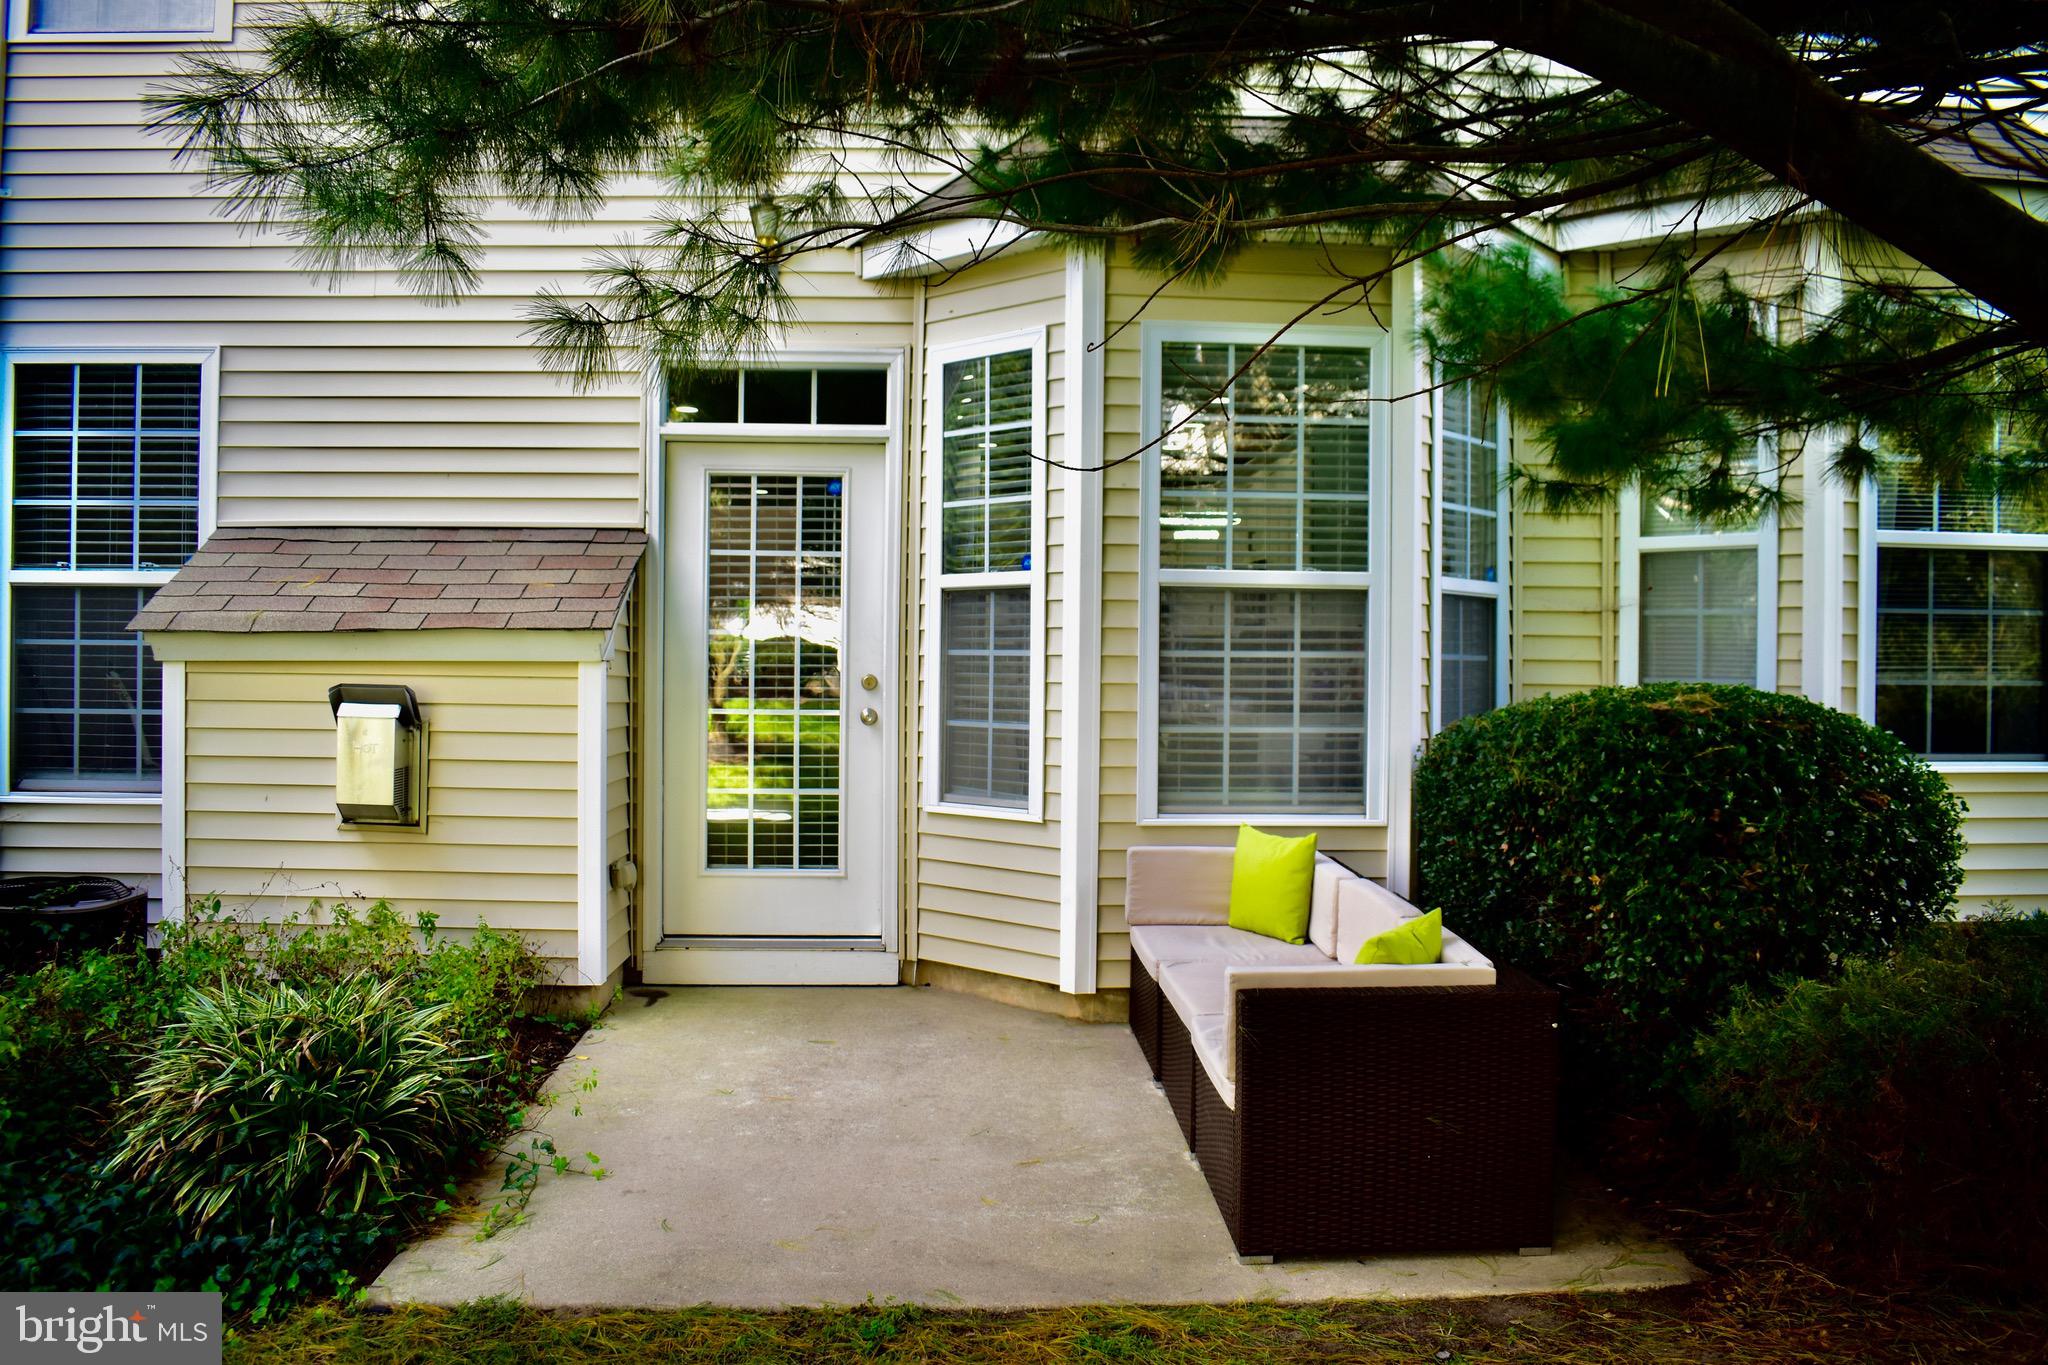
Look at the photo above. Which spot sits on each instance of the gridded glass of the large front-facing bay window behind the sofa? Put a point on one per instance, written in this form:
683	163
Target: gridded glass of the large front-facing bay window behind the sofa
1263	568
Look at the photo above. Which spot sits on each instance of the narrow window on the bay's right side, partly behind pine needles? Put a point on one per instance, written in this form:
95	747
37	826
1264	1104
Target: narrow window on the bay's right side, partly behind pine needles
1471	627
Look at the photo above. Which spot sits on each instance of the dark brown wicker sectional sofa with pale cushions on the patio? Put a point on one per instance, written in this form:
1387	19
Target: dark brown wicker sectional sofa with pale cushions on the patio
1338	1108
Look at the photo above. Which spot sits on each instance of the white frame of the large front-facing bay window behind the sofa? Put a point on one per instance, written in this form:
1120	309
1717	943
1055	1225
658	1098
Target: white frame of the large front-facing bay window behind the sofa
1152	578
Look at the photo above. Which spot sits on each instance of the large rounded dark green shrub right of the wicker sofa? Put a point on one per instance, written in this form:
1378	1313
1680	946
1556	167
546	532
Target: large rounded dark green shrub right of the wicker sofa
1656	850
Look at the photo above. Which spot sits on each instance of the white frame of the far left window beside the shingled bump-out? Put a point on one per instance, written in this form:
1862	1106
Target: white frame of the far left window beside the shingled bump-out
210	400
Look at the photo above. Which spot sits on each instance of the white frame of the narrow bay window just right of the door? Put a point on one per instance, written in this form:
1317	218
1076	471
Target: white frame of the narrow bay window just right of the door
937	582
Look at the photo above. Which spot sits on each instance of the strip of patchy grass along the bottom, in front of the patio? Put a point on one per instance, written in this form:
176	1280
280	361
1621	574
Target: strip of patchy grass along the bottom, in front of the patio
1779	1315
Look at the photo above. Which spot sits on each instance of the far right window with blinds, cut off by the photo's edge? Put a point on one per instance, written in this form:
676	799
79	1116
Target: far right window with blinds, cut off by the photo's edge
1961	617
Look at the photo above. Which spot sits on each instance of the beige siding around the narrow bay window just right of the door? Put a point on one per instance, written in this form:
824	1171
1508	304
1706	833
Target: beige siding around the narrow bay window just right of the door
986	891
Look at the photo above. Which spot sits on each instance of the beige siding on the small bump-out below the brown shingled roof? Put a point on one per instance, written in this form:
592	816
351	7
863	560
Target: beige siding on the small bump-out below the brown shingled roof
501	840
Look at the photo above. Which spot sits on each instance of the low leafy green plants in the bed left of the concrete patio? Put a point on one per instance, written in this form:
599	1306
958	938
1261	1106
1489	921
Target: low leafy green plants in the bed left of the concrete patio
376	1006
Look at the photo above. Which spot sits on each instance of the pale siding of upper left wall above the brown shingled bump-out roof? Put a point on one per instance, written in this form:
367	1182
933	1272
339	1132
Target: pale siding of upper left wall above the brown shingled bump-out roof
343	402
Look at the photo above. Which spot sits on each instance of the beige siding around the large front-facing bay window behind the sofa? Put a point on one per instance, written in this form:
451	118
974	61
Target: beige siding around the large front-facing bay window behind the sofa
1269	285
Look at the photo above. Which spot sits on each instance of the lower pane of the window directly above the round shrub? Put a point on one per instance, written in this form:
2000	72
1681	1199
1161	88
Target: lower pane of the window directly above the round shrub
1701	617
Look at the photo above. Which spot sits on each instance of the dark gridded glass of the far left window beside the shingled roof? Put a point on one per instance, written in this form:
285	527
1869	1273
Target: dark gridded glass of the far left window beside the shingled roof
103	484
